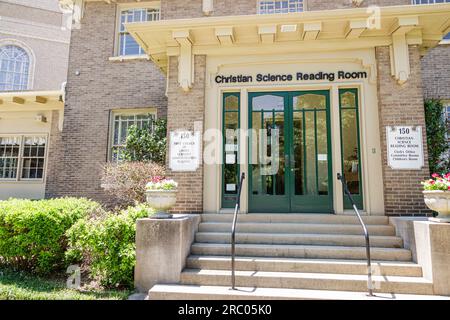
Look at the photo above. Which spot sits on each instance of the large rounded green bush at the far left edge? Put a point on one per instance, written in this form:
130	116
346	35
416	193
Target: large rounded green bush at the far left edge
32	233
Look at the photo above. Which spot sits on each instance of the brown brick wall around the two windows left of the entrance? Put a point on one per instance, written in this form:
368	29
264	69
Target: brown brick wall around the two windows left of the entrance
76	156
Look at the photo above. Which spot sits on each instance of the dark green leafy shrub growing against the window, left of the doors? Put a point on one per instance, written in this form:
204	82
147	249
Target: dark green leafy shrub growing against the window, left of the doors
147	144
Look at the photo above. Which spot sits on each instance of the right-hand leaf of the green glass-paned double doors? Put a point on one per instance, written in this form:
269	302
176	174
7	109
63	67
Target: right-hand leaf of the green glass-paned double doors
311	164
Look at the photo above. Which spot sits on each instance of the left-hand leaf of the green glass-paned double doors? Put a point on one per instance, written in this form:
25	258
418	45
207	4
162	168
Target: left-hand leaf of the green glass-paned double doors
267	169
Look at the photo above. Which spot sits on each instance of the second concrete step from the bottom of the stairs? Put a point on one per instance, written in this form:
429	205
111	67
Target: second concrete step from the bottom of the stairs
315	281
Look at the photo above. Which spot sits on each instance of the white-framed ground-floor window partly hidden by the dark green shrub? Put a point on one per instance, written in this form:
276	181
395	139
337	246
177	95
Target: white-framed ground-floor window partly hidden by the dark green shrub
122	121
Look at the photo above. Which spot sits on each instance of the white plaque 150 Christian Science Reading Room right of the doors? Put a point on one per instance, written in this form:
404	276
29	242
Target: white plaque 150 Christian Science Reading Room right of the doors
404	147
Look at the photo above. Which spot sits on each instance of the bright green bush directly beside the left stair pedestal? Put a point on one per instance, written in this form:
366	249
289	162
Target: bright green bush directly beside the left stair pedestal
107	244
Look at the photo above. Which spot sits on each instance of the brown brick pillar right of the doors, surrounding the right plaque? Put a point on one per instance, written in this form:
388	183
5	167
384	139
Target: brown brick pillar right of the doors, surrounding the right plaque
401	105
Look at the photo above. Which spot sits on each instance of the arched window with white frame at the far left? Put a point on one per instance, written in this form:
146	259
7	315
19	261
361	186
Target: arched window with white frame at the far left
14	68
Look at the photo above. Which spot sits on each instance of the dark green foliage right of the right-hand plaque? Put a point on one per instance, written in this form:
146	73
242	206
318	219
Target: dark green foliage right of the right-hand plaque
438	148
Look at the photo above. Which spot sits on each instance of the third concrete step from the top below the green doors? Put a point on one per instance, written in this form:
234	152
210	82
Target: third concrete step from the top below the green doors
308	239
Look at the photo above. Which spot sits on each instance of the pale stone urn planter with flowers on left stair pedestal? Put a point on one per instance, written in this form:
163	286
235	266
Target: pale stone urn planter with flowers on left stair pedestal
161	194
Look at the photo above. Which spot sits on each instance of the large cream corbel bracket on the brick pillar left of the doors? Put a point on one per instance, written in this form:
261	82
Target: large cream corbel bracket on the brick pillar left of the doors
185	59
